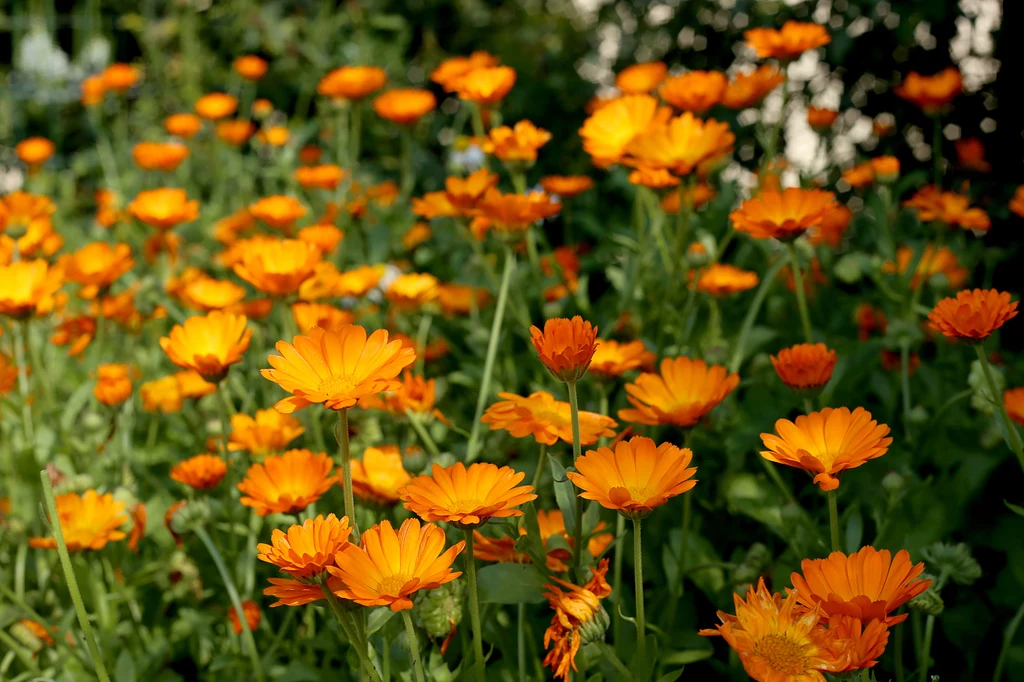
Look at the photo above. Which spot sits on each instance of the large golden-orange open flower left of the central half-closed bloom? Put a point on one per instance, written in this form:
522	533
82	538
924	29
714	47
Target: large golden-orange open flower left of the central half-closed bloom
336	369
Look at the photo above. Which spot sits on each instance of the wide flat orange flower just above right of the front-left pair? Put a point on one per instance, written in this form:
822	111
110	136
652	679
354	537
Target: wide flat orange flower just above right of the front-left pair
467	498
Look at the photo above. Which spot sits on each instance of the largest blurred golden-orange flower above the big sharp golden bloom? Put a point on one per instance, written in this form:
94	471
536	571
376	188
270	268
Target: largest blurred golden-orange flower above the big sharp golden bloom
278	268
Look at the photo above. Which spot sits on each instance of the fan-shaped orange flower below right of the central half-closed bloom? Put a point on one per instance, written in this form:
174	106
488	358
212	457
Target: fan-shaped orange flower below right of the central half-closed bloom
635	478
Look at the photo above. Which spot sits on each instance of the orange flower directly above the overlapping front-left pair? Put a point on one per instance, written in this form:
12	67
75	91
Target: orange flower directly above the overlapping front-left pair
287	484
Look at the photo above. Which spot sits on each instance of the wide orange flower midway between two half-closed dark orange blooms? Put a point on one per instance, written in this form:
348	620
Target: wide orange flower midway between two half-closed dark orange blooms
684	393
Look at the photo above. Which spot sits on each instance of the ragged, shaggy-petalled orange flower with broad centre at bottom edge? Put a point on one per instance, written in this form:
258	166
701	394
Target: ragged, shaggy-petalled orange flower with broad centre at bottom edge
777	641
